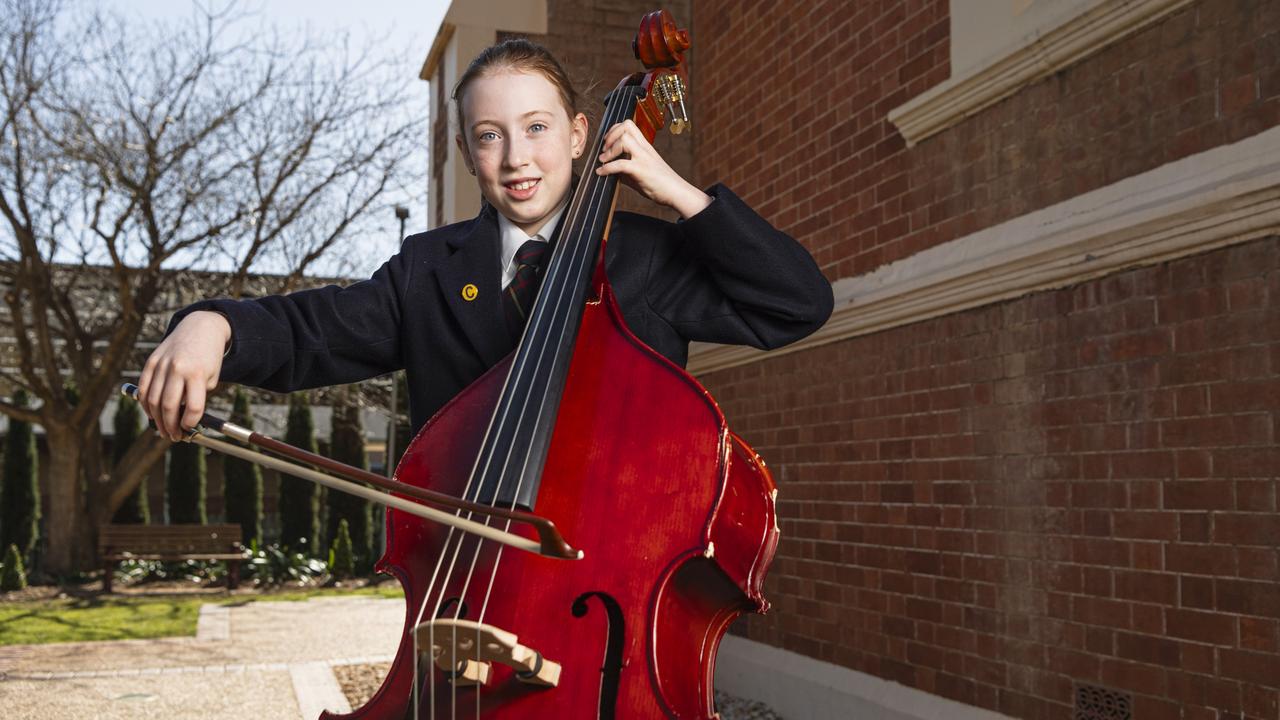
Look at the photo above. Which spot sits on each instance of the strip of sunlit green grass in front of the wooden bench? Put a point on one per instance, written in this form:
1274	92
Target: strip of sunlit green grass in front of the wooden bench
118	618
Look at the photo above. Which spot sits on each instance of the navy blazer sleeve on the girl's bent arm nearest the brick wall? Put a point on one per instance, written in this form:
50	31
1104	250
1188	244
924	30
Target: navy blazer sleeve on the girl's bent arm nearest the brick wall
734	279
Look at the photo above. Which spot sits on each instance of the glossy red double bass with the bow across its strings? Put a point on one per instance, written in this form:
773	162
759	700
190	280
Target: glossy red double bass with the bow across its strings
606	527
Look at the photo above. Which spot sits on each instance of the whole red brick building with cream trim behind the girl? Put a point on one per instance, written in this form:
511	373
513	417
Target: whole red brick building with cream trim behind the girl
1030	468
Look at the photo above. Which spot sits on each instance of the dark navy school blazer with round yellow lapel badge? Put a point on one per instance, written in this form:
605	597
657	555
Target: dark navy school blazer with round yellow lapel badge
724	276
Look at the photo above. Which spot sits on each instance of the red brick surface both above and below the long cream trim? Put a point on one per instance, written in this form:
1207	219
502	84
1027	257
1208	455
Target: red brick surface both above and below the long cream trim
1076	487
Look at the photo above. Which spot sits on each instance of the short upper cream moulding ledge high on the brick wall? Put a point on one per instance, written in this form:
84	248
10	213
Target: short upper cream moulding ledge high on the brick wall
1027	61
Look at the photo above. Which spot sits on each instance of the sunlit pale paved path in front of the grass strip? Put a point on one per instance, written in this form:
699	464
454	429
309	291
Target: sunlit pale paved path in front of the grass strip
264	660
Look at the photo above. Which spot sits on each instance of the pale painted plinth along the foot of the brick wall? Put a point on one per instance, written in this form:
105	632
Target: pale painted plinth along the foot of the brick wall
796	686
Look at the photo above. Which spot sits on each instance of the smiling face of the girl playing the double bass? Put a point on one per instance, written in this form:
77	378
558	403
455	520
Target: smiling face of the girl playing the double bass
520	143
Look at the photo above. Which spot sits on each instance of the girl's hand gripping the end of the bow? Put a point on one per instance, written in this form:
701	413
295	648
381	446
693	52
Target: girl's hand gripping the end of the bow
182	371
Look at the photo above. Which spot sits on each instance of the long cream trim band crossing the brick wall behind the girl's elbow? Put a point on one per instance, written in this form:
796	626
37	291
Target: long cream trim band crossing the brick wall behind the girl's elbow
1222	197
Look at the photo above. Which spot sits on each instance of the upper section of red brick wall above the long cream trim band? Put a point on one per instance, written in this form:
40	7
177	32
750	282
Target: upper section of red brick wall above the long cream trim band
797	95
